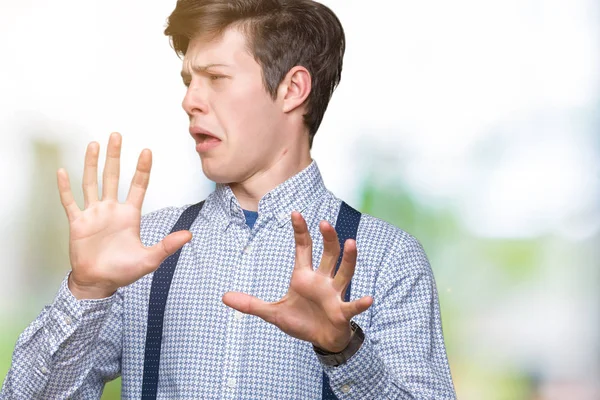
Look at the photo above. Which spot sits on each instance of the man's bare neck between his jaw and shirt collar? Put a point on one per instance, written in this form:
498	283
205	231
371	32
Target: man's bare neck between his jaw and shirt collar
250	191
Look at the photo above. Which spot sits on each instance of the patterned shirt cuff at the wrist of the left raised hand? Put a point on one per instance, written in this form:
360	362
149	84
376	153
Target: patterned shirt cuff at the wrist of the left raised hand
67	314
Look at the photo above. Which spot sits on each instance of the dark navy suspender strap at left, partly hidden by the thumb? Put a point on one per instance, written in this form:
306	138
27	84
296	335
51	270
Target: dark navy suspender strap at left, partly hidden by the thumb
161	282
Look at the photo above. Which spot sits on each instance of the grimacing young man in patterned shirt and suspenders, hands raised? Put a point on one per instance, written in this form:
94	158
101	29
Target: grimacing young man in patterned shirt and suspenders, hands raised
254	308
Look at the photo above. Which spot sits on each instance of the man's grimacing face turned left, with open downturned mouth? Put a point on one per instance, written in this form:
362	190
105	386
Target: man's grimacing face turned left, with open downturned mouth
226	97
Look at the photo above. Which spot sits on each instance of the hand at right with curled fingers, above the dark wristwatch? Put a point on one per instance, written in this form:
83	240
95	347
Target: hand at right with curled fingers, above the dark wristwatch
313	309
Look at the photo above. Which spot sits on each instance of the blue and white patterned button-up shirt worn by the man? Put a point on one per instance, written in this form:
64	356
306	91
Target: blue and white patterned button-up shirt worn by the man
210	351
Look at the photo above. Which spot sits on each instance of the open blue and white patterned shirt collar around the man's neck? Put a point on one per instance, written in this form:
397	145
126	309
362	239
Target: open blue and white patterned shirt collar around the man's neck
296	193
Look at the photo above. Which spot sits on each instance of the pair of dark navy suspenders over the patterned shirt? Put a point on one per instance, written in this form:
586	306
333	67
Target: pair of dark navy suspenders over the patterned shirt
346	227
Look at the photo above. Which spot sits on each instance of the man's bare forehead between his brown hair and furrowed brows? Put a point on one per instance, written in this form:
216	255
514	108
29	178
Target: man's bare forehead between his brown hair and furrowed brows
229	48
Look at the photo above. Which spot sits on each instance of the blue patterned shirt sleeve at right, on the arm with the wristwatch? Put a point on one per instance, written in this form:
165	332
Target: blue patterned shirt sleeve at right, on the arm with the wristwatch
403	355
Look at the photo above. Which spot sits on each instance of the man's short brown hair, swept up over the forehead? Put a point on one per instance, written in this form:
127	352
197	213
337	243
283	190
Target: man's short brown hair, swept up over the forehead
280	33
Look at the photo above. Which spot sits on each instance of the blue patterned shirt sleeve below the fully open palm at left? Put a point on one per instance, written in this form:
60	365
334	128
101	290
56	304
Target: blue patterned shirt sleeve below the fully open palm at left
69	351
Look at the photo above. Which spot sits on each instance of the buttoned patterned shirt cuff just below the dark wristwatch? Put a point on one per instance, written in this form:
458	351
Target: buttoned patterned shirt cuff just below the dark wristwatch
363	376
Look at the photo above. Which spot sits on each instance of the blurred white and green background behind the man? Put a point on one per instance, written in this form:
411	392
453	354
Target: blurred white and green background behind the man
473	125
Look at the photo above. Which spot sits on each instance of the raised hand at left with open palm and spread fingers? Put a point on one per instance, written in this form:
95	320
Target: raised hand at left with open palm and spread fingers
105	249
